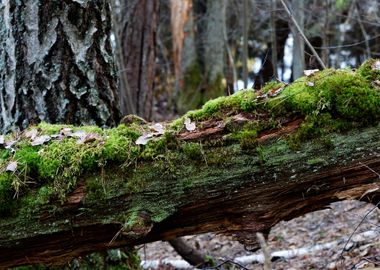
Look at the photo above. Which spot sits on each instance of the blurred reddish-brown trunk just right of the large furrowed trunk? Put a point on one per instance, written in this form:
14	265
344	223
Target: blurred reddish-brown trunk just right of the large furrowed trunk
136	41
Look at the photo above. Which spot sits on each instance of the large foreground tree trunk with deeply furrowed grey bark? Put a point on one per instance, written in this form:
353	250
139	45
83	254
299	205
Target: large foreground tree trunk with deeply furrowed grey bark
56	64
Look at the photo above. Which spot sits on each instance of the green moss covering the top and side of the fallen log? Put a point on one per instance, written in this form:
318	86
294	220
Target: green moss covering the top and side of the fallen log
326	117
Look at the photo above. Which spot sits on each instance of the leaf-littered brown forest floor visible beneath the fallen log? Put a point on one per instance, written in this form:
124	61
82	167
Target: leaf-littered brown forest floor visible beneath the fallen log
333	226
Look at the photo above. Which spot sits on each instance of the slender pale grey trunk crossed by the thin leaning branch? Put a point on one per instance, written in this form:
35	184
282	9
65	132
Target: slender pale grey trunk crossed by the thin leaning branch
298	43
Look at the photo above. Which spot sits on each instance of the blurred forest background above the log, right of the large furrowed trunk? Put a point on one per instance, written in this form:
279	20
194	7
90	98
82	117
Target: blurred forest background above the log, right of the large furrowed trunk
175	55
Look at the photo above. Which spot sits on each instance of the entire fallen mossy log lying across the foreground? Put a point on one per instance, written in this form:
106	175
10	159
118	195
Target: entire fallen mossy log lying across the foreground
238	166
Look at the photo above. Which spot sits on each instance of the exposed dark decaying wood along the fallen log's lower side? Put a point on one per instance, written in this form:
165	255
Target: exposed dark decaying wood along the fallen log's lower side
245	196
